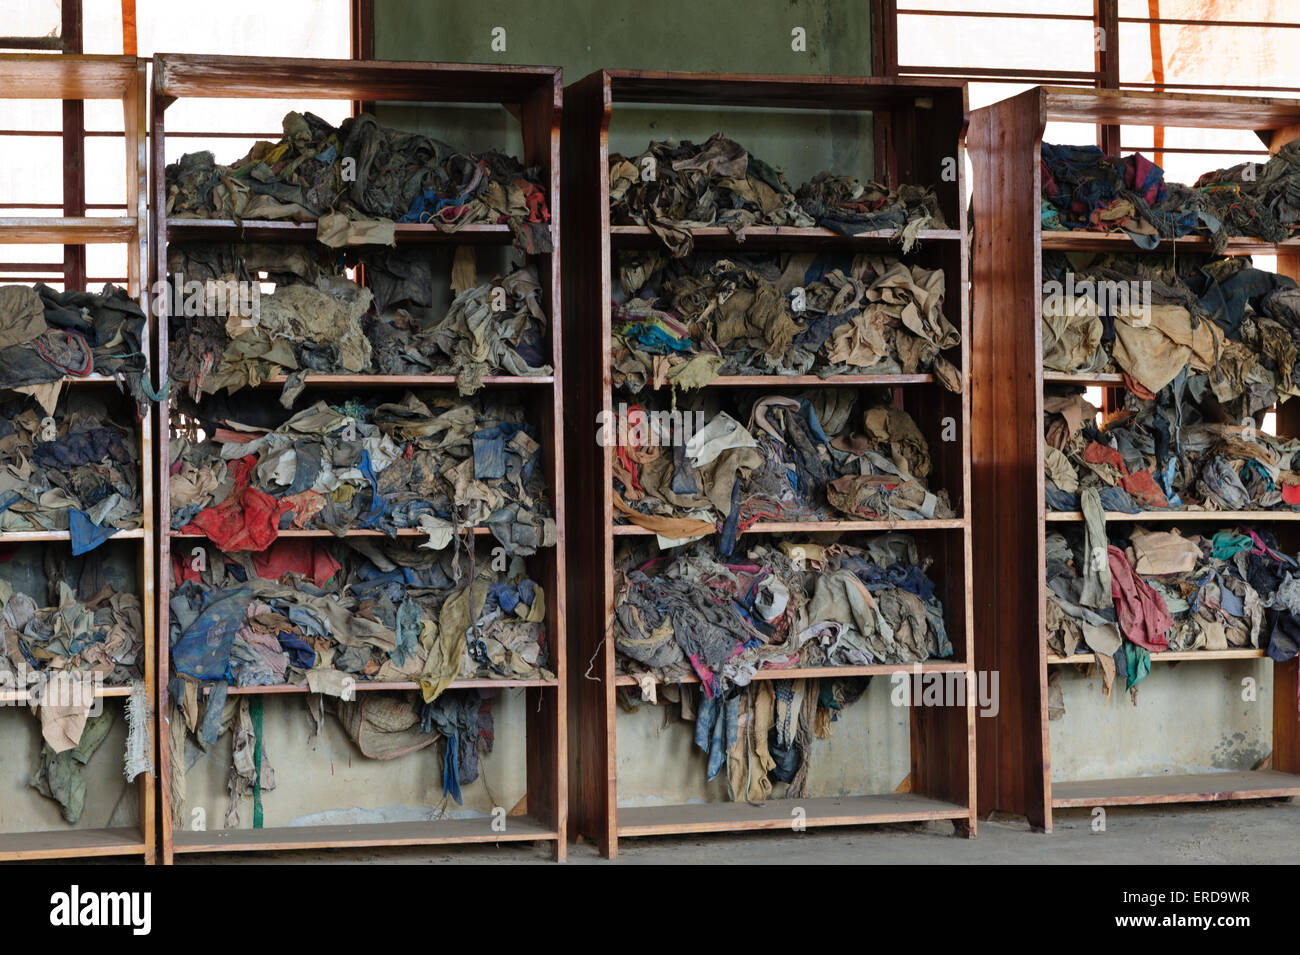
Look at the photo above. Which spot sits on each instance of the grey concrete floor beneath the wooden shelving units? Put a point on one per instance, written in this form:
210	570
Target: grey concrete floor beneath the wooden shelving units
1240	834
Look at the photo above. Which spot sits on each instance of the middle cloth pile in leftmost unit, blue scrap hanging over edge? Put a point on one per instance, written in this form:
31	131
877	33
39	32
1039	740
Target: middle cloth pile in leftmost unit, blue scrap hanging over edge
76	471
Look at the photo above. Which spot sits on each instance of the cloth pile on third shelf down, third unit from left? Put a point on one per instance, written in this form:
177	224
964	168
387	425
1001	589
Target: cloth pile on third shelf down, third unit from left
816	455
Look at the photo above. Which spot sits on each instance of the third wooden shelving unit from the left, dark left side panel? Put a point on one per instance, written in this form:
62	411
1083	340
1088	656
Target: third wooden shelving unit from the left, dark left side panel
918	125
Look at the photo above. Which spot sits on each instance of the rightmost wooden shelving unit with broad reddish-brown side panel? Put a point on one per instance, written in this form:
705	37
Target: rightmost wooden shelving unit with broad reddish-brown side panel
1007	383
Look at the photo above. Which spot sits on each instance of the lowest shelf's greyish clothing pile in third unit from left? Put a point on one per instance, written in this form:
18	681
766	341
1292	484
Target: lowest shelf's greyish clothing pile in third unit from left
786	605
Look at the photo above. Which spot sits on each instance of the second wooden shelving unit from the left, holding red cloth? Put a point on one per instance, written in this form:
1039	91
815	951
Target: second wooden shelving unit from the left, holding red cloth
534	95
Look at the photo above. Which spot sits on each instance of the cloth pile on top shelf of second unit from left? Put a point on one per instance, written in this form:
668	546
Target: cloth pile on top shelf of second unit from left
361	179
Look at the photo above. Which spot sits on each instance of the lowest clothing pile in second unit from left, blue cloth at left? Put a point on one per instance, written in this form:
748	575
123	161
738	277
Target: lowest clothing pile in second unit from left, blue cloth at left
332	617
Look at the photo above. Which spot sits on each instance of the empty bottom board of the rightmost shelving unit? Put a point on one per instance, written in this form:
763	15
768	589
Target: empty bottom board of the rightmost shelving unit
1204	788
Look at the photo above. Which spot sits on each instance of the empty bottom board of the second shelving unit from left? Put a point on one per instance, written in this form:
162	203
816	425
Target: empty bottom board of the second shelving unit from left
432	834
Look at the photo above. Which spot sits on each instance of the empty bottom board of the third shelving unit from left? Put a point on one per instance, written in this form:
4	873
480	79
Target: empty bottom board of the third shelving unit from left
779	814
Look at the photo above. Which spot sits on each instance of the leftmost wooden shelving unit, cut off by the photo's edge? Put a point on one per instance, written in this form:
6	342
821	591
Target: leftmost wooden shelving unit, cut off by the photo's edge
122	79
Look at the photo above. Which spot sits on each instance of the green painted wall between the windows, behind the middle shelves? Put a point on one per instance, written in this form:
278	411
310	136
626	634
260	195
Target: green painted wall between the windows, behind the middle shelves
586	36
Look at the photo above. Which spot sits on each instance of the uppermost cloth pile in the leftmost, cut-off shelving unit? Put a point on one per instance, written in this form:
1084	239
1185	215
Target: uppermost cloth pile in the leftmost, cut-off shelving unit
49	336
